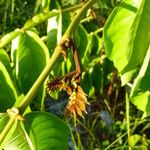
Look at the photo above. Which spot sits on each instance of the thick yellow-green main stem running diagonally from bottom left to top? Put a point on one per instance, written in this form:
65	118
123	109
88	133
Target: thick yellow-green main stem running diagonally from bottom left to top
58	50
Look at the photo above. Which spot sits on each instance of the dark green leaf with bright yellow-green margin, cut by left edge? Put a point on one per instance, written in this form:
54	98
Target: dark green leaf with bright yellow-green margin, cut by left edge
8	92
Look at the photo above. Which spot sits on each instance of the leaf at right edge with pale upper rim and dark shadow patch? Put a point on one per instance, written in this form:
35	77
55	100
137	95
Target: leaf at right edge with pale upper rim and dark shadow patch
140	92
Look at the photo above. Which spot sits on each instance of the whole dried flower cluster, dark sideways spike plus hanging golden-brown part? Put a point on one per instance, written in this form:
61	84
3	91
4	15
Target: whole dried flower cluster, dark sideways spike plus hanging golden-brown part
77	98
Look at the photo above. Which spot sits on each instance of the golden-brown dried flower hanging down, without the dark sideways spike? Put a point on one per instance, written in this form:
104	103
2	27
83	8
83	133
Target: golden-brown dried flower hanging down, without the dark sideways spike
77	103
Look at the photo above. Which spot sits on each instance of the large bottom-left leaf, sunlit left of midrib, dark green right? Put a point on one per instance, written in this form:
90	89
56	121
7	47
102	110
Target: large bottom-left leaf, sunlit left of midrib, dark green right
39	131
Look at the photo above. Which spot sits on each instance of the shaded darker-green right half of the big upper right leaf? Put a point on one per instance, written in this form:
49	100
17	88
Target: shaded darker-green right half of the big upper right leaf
138	44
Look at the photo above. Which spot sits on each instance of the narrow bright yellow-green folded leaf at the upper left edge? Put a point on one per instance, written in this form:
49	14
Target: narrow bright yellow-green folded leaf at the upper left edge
9	37
